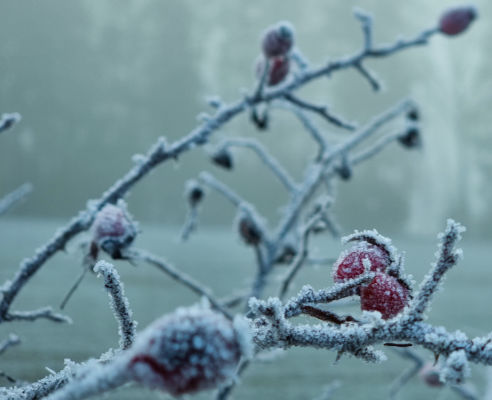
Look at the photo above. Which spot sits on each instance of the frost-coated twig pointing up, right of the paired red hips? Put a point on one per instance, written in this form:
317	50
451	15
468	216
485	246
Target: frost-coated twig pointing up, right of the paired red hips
447	257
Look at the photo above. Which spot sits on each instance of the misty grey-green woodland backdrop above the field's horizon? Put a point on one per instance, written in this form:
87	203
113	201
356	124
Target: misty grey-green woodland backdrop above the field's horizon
98	81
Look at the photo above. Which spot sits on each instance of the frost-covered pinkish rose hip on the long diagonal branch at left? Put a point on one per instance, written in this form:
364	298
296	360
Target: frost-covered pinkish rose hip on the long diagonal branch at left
113	230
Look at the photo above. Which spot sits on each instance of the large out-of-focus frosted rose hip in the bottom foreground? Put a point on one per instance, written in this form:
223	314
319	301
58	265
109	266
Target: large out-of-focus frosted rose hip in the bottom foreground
187	351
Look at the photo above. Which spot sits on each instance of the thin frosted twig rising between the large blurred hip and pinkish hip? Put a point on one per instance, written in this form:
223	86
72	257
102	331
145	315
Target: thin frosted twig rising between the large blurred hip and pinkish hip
119	303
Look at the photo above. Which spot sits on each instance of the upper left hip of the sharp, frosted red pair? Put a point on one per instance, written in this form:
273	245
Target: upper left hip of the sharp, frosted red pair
351	264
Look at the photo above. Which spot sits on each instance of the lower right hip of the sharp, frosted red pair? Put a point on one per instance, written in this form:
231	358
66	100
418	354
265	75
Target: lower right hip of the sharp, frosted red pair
384	294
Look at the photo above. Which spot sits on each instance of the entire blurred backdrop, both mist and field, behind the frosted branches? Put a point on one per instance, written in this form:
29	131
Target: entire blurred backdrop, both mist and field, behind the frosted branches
97	81
